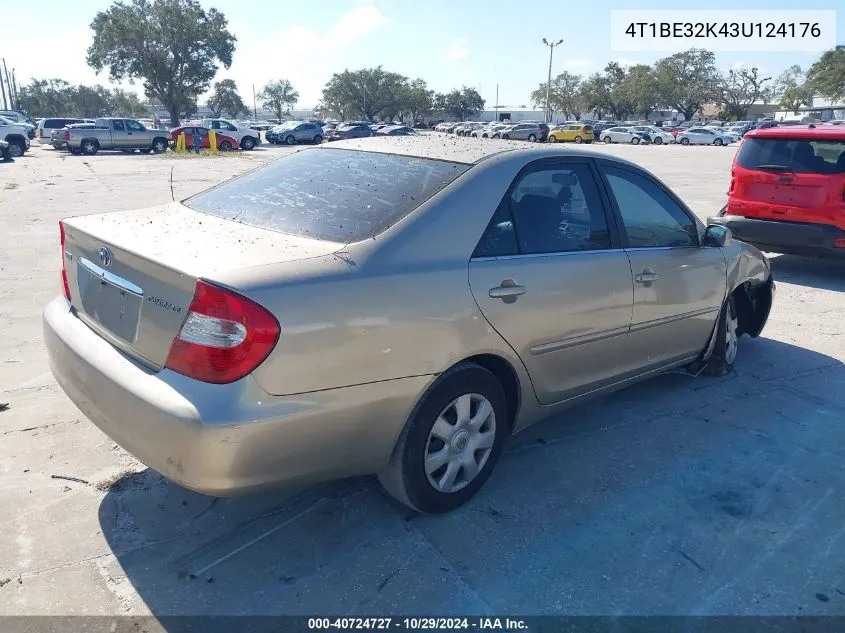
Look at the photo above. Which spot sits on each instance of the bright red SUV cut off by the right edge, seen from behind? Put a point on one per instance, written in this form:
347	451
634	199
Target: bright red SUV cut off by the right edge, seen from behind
787	192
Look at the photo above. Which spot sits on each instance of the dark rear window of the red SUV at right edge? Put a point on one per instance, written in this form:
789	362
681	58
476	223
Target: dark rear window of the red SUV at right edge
808	156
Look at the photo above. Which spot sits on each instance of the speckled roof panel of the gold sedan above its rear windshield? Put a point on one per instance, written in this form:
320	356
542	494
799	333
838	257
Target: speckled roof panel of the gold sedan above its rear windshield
467	150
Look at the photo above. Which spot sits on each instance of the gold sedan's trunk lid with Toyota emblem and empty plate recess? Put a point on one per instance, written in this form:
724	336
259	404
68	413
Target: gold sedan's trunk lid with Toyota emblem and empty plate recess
132	275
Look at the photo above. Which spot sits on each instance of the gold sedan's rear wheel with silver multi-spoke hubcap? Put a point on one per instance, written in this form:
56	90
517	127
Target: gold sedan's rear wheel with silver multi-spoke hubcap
451	442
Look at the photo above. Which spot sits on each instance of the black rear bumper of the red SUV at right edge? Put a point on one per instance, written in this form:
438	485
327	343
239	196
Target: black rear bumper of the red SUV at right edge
792	238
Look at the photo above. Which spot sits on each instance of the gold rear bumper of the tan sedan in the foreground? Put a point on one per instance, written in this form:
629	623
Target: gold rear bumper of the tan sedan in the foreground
225	439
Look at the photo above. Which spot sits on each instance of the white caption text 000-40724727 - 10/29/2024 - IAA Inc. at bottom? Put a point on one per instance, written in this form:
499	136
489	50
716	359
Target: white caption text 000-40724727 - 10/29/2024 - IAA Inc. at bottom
417	624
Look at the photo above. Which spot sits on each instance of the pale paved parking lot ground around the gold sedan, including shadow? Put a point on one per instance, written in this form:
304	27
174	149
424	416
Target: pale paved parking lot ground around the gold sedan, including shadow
680	495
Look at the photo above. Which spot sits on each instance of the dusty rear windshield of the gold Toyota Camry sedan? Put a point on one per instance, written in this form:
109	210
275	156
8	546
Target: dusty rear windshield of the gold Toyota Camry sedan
329	194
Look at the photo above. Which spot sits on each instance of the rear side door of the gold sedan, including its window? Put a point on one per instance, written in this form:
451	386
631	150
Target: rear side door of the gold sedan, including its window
549	276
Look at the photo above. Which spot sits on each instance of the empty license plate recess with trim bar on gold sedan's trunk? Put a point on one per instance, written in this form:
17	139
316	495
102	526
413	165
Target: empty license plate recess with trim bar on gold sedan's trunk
113	302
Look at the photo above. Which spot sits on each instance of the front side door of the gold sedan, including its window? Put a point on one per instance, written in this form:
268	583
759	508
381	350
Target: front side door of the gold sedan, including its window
679	285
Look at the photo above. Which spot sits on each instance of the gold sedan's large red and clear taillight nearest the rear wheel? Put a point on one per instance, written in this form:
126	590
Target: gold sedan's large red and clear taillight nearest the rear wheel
224	337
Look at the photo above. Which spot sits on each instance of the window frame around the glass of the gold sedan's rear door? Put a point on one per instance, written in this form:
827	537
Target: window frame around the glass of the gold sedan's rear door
610	214
